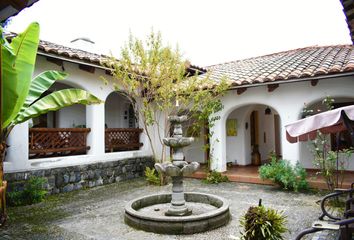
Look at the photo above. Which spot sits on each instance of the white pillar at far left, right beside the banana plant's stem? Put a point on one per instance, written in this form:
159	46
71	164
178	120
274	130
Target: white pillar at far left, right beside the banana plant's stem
17	152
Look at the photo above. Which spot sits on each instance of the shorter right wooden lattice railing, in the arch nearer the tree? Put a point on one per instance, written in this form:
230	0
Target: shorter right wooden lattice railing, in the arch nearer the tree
122	139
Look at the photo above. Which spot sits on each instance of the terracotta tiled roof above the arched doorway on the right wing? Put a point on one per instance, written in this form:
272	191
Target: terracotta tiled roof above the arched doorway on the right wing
306	63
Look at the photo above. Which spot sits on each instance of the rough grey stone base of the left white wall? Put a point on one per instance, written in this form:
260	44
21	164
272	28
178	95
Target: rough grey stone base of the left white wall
66	179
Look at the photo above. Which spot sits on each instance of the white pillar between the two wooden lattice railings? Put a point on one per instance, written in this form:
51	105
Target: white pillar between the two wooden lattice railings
95	120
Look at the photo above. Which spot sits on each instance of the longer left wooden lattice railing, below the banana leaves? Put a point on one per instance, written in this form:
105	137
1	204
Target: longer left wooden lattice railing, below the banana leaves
57	141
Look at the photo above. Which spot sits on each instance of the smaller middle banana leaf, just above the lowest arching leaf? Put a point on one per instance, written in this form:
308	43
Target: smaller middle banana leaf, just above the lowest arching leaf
40	84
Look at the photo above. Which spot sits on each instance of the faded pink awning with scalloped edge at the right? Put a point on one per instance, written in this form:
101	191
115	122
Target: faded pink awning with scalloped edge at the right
326	122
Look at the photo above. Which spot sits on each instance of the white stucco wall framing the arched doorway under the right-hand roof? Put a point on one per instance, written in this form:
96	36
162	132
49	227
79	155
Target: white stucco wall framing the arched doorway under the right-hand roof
287	100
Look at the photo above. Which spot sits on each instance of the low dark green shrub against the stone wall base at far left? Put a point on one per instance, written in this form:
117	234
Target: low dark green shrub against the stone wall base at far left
33	192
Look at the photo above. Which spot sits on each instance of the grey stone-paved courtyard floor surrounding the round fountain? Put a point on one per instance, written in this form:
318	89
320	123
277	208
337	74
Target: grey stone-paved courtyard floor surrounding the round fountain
98	213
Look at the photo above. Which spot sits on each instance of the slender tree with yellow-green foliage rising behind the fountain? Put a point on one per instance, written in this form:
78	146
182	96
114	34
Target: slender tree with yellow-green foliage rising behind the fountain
156	80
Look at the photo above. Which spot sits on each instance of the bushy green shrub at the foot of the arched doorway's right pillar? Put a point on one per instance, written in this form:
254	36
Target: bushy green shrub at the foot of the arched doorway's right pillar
285	174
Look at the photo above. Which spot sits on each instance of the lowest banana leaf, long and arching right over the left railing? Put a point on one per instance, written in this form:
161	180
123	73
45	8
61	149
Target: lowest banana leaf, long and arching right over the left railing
55	101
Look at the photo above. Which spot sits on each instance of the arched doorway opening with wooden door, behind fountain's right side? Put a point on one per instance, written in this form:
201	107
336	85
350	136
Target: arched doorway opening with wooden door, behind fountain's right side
252	129
